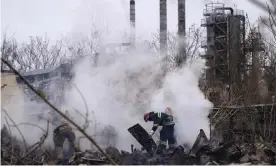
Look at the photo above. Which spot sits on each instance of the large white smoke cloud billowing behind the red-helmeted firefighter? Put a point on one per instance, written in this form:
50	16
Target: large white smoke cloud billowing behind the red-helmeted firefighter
126	85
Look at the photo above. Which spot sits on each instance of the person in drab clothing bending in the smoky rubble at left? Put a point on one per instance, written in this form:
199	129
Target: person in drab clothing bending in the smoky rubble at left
63	131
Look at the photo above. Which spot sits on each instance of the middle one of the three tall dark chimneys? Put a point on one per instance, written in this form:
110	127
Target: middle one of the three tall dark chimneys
163	26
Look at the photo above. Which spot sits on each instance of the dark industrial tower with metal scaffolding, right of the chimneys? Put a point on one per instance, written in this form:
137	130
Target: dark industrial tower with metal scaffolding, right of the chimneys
226	48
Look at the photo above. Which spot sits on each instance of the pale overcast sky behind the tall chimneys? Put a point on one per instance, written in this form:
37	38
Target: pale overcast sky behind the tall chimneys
56	18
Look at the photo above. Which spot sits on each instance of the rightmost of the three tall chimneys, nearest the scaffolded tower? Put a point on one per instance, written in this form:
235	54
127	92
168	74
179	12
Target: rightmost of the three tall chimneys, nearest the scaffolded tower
181	31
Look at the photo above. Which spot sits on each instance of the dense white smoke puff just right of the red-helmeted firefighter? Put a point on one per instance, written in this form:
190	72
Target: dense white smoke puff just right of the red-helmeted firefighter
180	91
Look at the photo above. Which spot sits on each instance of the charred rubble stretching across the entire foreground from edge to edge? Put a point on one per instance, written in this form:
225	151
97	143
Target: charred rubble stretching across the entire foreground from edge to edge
203	152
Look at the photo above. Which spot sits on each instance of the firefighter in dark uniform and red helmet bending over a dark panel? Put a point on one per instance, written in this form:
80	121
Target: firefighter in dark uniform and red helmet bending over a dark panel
167	131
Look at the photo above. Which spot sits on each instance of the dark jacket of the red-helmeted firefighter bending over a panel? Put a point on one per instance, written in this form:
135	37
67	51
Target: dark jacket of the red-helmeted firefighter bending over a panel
161	119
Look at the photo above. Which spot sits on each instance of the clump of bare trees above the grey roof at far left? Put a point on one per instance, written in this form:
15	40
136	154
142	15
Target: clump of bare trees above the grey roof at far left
37	53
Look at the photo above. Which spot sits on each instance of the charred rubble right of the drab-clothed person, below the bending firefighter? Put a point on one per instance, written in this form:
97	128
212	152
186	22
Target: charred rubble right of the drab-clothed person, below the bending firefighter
203	152
